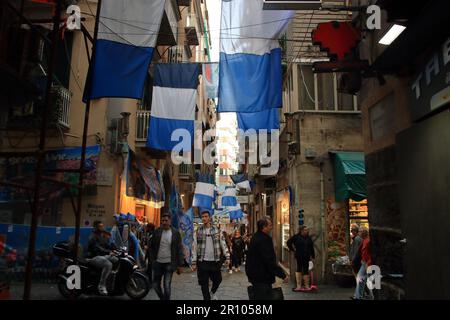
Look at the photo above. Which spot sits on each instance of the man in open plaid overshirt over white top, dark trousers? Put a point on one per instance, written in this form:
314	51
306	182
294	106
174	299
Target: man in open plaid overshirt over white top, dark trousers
208	246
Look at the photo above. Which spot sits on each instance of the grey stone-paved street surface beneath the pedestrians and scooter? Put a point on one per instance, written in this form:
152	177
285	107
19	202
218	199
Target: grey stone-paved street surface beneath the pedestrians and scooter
185	287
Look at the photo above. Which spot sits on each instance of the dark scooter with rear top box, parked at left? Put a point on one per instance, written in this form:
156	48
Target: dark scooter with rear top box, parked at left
125	277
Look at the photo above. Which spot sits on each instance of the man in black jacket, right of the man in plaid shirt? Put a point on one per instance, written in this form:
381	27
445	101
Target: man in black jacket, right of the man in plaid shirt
261	266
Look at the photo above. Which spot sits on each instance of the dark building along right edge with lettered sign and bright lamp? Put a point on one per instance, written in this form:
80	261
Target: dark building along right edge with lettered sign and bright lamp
406	133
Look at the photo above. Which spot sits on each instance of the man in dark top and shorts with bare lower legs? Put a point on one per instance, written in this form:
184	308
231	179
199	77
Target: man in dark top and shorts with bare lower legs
303	247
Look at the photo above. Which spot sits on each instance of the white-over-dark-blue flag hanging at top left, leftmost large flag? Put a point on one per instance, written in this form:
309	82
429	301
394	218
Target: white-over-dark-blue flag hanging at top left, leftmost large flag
128	30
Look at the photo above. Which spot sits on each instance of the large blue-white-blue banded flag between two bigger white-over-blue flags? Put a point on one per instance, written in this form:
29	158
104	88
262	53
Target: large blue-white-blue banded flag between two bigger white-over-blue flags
173	103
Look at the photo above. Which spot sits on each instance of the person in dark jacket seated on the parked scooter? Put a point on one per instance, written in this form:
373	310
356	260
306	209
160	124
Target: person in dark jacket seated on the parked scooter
99	252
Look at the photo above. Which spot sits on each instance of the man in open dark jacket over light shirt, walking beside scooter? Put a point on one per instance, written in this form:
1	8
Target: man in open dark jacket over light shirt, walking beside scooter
166	256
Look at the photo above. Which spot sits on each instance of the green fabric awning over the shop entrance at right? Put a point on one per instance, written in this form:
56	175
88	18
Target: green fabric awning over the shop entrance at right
349	176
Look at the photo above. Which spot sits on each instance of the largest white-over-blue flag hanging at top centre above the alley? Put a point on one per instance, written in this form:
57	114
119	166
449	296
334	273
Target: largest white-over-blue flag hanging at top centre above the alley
250	73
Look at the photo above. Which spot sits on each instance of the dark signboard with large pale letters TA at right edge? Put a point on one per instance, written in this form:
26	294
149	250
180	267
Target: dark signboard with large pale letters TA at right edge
430	89
